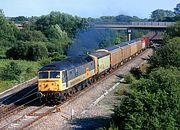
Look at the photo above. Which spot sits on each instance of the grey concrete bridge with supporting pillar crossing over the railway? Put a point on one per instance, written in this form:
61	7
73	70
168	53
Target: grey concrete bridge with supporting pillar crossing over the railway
129	26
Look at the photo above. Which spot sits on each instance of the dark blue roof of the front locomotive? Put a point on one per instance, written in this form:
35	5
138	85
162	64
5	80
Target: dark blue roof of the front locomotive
67	64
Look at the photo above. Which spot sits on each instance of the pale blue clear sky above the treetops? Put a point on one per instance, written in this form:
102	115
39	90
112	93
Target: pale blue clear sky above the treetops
85	8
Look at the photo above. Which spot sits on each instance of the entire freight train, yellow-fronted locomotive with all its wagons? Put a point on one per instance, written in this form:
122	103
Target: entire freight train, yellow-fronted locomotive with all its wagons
61	79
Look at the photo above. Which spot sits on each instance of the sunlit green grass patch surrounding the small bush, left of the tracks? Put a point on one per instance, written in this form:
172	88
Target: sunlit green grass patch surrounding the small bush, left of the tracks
29	70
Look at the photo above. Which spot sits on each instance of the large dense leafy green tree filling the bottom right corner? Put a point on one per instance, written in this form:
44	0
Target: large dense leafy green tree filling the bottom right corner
152	103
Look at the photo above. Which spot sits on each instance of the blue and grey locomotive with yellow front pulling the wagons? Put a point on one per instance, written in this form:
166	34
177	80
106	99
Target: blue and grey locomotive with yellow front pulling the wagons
61	79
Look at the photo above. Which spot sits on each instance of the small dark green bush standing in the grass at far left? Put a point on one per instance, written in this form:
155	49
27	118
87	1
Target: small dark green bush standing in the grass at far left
11	72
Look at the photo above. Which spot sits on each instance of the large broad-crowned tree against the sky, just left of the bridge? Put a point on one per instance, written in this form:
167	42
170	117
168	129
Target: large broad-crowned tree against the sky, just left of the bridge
66	22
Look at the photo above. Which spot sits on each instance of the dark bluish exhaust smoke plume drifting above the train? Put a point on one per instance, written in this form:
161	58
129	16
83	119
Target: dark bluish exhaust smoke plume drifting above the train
90	40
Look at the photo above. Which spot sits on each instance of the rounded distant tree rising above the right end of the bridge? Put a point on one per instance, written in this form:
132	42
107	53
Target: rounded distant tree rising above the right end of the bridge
160	14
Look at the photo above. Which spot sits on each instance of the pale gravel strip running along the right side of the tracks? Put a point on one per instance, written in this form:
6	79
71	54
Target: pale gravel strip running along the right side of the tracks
88	115
